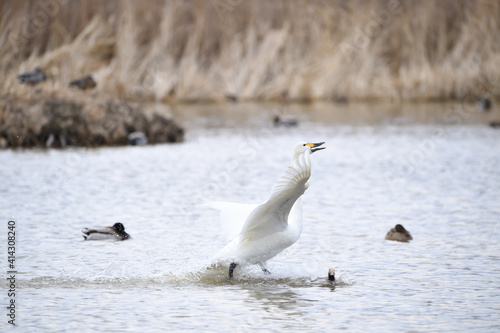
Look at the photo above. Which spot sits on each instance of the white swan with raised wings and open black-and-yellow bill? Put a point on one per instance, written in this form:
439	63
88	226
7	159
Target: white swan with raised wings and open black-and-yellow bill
260	232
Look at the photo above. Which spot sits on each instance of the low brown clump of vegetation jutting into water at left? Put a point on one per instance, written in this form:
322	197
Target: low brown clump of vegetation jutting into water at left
29	122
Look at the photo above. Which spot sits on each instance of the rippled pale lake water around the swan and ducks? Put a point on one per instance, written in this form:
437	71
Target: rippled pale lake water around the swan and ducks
436	170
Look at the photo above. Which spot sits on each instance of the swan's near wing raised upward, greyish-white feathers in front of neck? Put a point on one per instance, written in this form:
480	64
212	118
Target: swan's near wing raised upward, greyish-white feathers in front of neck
272	215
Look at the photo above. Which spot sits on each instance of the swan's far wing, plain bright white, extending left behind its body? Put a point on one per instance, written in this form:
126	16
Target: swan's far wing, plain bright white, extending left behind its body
232	216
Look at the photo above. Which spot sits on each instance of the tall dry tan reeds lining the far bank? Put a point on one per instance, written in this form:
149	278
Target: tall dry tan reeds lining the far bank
197	50
